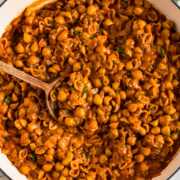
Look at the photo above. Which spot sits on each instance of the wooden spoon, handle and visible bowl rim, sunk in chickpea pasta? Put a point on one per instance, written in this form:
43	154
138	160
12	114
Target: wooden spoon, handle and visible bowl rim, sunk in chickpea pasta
47	88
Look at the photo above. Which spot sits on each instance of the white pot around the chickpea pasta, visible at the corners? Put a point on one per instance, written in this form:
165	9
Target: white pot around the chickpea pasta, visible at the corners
11	8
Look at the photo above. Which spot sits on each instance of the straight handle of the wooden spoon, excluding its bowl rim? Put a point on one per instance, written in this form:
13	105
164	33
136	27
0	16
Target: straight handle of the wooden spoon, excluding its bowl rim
9	69
